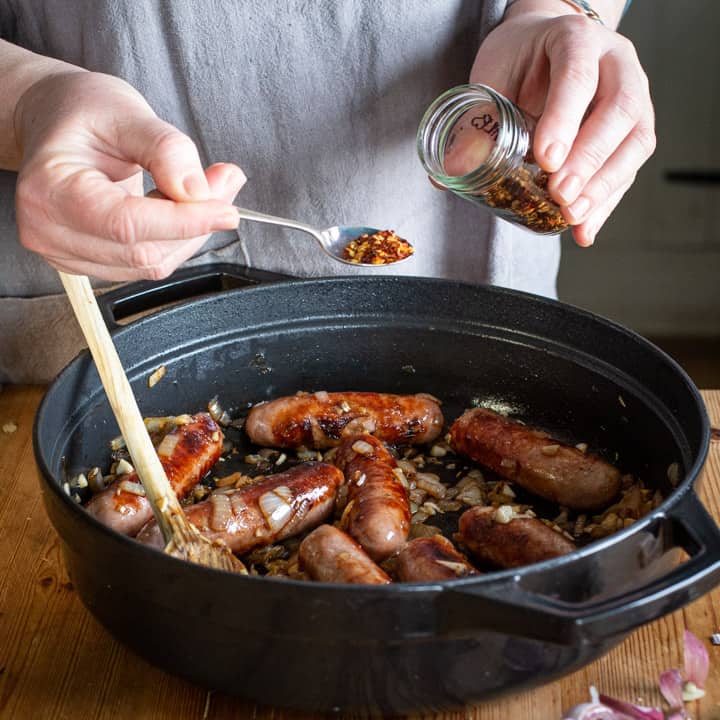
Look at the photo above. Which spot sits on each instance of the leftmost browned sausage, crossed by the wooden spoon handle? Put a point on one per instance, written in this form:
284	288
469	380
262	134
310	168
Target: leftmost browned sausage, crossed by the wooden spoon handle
186	454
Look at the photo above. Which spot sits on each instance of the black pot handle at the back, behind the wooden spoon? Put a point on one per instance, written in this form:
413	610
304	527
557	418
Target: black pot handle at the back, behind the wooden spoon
183	284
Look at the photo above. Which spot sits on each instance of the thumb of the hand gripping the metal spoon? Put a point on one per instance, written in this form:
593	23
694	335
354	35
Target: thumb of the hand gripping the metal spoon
167	154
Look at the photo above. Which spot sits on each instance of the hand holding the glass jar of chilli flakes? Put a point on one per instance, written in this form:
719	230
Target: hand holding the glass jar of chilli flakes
585	84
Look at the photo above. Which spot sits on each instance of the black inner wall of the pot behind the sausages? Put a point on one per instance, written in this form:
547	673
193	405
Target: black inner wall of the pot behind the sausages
575	375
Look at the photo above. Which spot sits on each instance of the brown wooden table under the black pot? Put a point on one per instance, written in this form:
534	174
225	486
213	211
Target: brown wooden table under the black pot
56	661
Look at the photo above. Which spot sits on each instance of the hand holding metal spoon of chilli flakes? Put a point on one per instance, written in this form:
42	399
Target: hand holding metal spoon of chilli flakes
85	139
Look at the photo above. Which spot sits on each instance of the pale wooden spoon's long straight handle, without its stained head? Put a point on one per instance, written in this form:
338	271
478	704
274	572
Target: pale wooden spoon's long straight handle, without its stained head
159	492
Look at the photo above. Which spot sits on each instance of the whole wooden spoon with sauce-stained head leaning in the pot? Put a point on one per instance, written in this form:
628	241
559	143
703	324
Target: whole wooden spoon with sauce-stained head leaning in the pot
183	540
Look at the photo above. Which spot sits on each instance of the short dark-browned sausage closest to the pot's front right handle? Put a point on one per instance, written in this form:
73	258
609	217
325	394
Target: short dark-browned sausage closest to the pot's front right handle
519	541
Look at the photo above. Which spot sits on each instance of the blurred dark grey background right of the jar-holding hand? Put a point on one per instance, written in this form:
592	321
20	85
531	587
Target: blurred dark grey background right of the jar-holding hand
655	266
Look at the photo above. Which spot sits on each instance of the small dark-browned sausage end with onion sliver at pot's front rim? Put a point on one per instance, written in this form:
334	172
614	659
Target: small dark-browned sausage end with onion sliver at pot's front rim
431	559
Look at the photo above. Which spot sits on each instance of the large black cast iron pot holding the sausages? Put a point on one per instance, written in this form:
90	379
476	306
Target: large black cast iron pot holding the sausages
396	648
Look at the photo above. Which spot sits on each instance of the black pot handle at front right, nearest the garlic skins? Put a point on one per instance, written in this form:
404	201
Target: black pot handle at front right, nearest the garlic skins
512	609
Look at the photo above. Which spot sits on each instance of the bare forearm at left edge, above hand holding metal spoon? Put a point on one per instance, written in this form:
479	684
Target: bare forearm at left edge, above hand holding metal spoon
19	70
